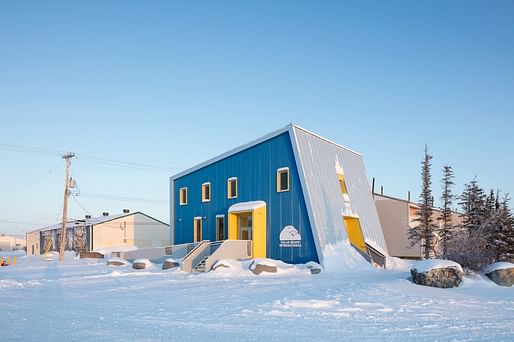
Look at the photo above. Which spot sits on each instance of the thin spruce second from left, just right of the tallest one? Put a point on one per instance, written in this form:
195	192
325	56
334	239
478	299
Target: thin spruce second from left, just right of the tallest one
445	217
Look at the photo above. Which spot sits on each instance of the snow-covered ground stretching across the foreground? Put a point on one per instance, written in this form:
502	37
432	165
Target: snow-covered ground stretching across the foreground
86	300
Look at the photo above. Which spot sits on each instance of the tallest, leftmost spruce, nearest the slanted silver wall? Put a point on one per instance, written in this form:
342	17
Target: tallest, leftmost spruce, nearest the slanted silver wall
423	232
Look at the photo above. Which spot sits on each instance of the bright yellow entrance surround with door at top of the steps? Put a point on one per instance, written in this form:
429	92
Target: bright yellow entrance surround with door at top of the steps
249	225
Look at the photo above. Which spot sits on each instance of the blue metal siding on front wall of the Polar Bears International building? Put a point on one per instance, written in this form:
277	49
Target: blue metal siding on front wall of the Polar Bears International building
255	169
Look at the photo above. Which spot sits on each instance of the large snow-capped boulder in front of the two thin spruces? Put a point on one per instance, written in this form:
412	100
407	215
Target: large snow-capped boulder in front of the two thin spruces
437	273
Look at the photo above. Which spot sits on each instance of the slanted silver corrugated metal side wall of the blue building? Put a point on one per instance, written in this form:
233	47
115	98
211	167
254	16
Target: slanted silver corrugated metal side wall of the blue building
320	161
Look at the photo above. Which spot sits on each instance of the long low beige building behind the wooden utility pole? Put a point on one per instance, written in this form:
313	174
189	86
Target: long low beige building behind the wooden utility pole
128	229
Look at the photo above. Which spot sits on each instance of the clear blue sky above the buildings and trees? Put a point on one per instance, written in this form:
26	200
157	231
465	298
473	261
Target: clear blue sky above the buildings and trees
175	83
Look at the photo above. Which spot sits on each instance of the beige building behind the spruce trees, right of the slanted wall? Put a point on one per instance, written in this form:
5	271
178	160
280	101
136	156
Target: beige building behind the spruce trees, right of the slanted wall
396	217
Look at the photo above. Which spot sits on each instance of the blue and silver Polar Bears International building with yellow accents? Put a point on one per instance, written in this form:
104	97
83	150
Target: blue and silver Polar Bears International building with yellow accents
292	193
